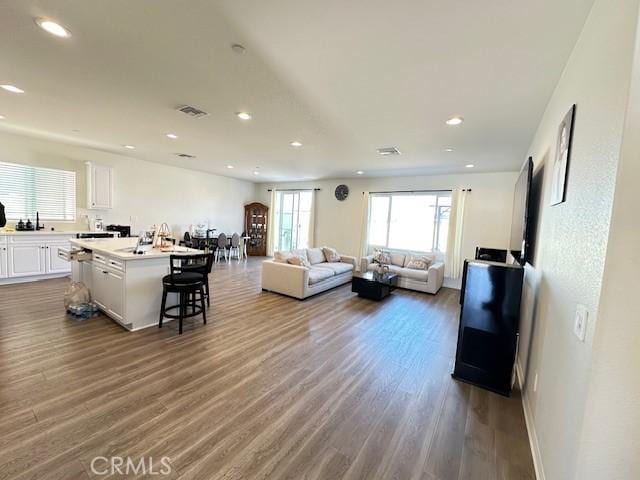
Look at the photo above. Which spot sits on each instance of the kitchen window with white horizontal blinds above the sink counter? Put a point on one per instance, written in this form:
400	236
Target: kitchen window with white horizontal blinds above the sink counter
25	190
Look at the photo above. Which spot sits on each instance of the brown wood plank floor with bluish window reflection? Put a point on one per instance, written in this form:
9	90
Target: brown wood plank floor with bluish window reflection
328	388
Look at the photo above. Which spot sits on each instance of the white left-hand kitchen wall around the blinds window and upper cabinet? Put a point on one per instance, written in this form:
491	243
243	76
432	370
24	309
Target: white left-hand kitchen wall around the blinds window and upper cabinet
145	193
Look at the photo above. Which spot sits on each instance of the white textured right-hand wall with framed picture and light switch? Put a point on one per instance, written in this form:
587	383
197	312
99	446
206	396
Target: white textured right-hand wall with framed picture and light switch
572	239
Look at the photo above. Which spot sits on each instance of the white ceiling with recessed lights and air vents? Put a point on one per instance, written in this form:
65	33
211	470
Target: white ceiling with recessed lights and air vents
343	77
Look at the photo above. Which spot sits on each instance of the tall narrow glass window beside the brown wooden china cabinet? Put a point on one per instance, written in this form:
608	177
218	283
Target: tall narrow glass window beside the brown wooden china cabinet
293	219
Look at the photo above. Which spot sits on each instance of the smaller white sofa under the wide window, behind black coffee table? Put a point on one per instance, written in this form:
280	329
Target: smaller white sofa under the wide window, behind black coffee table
429	281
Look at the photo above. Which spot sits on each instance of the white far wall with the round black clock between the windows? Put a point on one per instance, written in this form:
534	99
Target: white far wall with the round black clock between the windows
338	224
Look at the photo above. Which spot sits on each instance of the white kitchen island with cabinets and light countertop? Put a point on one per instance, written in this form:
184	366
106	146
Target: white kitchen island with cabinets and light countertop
126	286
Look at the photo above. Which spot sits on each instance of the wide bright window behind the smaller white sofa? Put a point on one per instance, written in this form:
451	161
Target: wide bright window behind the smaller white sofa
417	222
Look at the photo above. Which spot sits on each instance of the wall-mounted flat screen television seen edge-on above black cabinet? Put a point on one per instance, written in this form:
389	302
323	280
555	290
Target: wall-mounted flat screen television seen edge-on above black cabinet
521	218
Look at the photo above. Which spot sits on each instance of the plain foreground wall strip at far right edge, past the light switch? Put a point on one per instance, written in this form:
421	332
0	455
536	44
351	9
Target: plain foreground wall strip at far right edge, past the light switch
610	440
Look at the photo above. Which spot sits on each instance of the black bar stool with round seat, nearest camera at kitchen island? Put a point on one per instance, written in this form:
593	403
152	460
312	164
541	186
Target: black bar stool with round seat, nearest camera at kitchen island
186	284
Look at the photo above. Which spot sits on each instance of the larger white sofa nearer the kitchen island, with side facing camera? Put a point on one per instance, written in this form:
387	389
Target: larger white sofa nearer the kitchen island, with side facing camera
302	282
